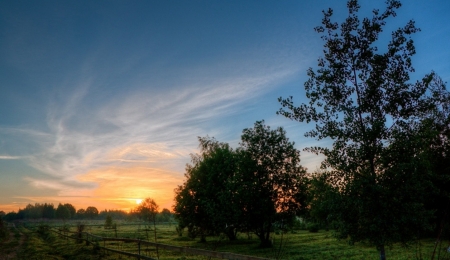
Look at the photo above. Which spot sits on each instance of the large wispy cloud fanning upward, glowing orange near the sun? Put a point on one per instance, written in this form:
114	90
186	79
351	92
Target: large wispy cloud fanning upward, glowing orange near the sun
137	143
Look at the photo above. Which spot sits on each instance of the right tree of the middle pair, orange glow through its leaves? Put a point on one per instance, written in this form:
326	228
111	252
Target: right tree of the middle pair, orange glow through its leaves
271	178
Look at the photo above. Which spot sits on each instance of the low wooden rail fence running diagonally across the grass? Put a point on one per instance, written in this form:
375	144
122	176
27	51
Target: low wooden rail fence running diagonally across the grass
97	240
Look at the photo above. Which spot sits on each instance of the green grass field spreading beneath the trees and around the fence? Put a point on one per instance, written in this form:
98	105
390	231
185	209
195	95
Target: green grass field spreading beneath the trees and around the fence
299	245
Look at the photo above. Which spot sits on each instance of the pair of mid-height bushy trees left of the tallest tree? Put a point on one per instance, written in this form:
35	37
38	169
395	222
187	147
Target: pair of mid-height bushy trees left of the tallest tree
247	189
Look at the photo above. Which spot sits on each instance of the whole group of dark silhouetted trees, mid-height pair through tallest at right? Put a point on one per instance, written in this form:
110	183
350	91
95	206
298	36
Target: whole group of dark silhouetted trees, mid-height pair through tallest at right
384	179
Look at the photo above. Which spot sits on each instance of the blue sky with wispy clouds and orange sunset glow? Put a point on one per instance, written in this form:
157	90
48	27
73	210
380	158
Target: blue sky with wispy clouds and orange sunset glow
102	102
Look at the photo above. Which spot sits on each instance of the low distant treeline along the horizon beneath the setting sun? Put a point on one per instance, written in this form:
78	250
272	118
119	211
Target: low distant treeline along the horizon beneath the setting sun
68	211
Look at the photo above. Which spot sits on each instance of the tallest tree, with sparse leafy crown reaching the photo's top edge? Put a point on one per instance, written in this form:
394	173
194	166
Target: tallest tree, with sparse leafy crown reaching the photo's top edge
362	99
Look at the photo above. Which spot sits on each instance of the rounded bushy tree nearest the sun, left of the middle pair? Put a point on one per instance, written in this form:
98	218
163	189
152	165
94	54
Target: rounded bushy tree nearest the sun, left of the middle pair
203	202
